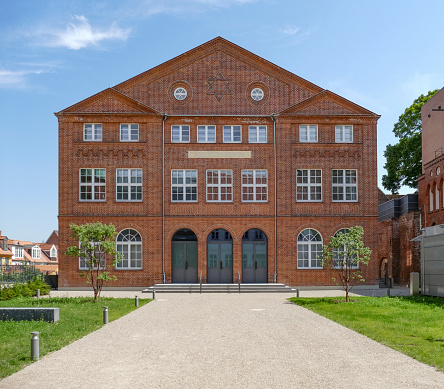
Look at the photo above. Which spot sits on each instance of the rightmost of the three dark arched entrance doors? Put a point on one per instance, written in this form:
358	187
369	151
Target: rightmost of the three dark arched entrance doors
254	257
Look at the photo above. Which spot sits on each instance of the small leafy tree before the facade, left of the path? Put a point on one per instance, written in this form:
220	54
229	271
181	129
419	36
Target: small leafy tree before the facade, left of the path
96	242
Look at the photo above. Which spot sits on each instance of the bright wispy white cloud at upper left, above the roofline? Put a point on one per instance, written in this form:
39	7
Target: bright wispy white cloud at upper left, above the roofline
80	34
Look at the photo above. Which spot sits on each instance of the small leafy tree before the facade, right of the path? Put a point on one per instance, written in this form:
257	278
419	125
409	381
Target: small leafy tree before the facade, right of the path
343	253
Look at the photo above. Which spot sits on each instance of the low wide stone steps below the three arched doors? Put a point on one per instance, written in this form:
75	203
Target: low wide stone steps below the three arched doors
219	288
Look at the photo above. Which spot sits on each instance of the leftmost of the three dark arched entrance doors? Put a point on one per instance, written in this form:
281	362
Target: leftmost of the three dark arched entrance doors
184	256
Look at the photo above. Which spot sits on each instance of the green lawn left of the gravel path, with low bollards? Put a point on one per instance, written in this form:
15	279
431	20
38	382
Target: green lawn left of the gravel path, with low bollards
78	317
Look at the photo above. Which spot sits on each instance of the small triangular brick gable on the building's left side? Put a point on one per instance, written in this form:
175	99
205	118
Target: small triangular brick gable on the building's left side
108	101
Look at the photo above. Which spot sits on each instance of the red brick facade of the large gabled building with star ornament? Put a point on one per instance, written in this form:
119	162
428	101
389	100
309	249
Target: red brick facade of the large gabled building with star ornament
218	77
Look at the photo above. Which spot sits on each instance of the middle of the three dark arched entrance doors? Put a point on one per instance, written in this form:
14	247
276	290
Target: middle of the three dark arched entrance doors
220	257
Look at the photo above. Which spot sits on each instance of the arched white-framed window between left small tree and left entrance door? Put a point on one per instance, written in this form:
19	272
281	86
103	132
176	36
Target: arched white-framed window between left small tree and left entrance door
129	244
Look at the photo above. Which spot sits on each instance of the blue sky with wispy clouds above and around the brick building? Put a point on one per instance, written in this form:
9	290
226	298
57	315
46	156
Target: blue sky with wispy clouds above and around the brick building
54	53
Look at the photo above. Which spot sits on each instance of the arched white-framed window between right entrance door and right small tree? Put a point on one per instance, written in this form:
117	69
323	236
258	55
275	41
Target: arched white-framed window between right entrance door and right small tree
309	249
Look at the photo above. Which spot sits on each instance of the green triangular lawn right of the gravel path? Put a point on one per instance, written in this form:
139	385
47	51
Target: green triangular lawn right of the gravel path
411	325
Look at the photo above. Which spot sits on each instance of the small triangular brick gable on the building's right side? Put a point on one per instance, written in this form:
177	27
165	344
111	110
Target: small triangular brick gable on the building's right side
327	103
